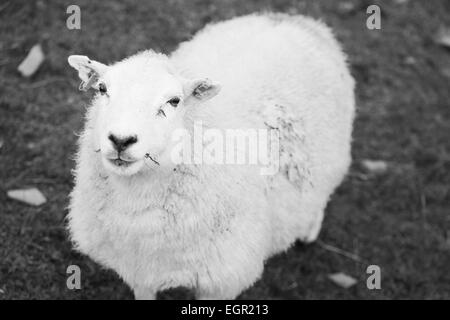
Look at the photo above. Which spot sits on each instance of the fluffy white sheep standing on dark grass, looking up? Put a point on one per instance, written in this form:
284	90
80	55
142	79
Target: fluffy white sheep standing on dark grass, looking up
210	227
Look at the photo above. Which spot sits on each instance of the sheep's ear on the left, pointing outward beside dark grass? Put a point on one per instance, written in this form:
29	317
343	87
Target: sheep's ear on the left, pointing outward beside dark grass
89	70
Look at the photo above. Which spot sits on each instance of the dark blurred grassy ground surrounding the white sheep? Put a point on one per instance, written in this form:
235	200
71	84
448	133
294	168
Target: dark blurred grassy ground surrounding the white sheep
399	220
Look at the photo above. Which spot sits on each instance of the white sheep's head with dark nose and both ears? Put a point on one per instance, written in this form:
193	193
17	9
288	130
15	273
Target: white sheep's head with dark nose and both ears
140	102
